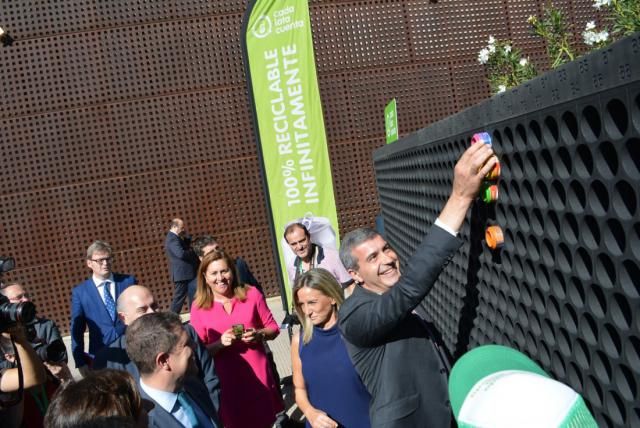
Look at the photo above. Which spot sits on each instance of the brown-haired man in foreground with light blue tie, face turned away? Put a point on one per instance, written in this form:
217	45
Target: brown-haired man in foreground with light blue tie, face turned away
162	351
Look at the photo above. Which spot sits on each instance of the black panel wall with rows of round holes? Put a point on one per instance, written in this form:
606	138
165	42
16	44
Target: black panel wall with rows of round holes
565	288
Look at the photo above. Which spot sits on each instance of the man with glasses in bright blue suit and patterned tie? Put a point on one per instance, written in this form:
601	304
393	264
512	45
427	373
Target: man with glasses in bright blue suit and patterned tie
93	305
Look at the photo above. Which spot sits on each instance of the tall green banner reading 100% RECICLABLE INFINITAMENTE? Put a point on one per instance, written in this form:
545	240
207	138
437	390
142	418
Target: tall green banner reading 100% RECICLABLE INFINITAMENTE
283	86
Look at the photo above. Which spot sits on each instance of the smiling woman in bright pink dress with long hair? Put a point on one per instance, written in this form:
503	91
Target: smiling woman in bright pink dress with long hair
249	396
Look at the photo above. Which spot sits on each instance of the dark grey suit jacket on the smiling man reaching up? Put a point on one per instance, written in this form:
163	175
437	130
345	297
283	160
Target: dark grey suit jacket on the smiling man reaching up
393	351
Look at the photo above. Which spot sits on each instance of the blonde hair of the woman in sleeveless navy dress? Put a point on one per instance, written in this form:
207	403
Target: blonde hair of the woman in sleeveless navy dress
321	280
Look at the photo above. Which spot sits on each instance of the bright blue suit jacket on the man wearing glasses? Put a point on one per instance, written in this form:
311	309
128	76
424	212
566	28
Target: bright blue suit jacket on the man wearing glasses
88	310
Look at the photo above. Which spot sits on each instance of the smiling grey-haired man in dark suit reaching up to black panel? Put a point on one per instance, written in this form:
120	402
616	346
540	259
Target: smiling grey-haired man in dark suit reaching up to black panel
389	338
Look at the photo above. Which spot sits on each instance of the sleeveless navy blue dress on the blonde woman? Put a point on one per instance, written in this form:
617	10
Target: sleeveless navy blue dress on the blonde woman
332	383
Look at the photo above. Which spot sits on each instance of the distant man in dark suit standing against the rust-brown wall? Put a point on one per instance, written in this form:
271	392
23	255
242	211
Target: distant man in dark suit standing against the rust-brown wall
182	262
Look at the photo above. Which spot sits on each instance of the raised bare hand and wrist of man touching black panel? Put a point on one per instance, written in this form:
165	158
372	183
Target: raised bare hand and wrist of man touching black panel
474	164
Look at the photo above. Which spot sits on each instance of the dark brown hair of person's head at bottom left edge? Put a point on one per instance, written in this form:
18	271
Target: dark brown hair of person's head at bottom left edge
102	394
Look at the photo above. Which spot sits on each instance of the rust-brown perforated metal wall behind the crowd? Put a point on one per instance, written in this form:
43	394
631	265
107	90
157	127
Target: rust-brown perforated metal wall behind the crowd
118	115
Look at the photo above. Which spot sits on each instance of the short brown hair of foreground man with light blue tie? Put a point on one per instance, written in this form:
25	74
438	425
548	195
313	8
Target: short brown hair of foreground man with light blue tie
150	335
